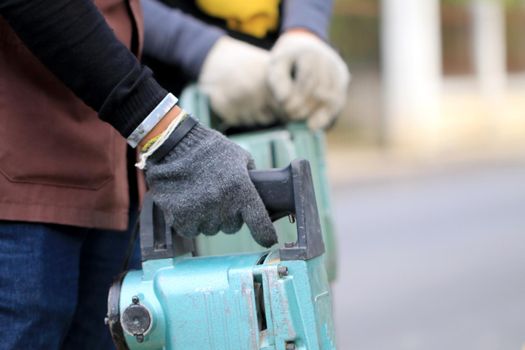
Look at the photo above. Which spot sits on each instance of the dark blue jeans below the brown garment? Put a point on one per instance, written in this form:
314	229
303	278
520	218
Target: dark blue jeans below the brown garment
54	282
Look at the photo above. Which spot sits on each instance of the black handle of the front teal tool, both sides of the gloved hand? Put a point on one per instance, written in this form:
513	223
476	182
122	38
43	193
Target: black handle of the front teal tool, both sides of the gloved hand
285	191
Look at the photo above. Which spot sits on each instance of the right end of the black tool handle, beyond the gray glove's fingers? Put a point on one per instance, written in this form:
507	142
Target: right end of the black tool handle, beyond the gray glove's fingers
290	191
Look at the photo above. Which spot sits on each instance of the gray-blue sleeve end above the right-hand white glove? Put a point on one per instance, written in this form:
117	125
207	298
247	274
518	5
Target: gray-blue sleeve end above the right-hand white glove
313	15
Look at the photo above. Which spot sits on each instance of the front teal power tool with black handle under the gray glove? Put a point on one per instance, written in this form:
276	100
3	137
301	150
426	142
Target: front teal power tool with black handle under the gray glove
274	300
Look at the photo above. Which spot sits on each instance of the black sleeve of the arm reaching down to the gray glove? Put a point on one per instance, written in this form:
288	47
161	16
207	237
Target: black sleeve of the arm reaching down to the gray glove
72	39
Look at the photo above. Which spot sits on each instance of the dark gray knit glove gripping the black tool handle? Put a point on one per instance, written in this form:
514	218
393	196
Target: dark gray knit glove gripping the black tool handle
203	186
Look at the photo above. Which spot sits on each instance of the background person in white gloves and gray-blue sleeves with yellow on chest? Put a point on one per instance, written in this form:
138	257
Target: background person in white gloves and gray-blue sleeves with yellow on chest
260	62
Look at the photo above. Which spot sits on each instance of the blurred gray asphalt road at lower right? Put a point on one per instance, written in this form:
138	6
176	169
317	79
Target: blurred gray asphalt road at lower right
436	261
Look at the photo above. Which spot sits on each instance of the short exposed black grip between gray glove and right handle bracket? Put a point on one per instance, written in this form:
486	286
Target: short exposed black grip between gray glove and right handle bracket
275	188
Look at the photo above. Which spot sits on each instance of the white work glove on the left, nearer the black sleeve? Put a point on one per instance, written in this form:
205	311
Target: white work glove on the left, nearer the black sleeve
234	78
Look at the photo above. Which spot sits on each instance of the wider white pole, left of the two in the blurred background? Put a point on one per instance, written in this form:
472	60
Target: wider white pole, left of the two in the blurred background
411	68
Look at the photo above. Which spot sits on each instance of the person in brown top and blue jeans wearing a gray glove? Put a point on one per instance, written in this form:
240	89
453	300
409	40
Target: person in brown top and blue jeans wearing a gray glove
65	203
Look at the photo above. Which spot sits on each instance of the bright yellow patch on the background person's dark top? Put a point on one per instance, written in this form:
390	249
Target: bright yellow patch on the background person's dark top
252	17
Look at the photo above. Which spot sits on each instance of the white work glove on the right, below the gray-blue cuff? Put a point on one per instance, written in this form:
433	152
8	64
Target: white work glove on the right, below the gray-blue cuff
308	79
